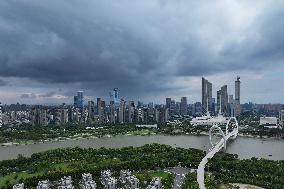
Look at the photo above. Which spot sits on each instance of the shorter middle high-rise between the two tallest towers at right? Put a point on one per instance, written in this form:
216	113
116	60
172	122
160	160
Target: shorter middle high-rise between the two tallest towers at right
222	100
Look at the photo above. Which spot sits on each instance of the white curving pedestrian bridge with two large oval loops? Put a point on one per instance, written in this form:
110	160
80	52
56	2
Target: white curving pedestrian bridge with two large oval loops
232	129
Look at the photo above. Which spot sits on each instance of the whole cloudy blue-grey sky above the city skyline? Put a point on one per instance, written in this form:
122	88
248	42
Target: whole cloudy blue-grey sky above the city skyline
150	49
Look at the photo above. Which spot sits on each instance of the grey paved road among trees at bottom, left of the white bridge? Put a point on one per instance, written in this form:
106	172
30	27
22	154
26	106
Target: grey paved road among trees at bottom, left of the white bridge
180	173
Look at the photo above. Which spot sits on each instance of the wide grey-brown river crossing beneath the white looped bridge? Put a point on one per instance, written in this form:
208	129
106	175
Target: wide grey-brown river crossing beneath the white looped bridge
245	147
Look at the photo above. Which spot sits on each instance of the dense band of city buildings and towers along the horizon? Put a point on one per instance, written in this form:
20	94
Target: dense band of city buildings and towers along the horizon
121	111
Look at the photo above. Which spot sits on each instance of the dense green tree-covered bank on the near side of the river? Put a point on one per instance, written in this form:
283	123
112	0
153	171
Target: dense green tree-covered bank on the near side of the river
54	164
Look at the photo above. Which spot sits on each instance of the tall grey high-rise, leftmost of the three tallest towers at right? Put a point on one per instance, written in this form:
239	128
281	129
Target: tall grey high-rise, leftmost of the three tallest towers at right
206	95
